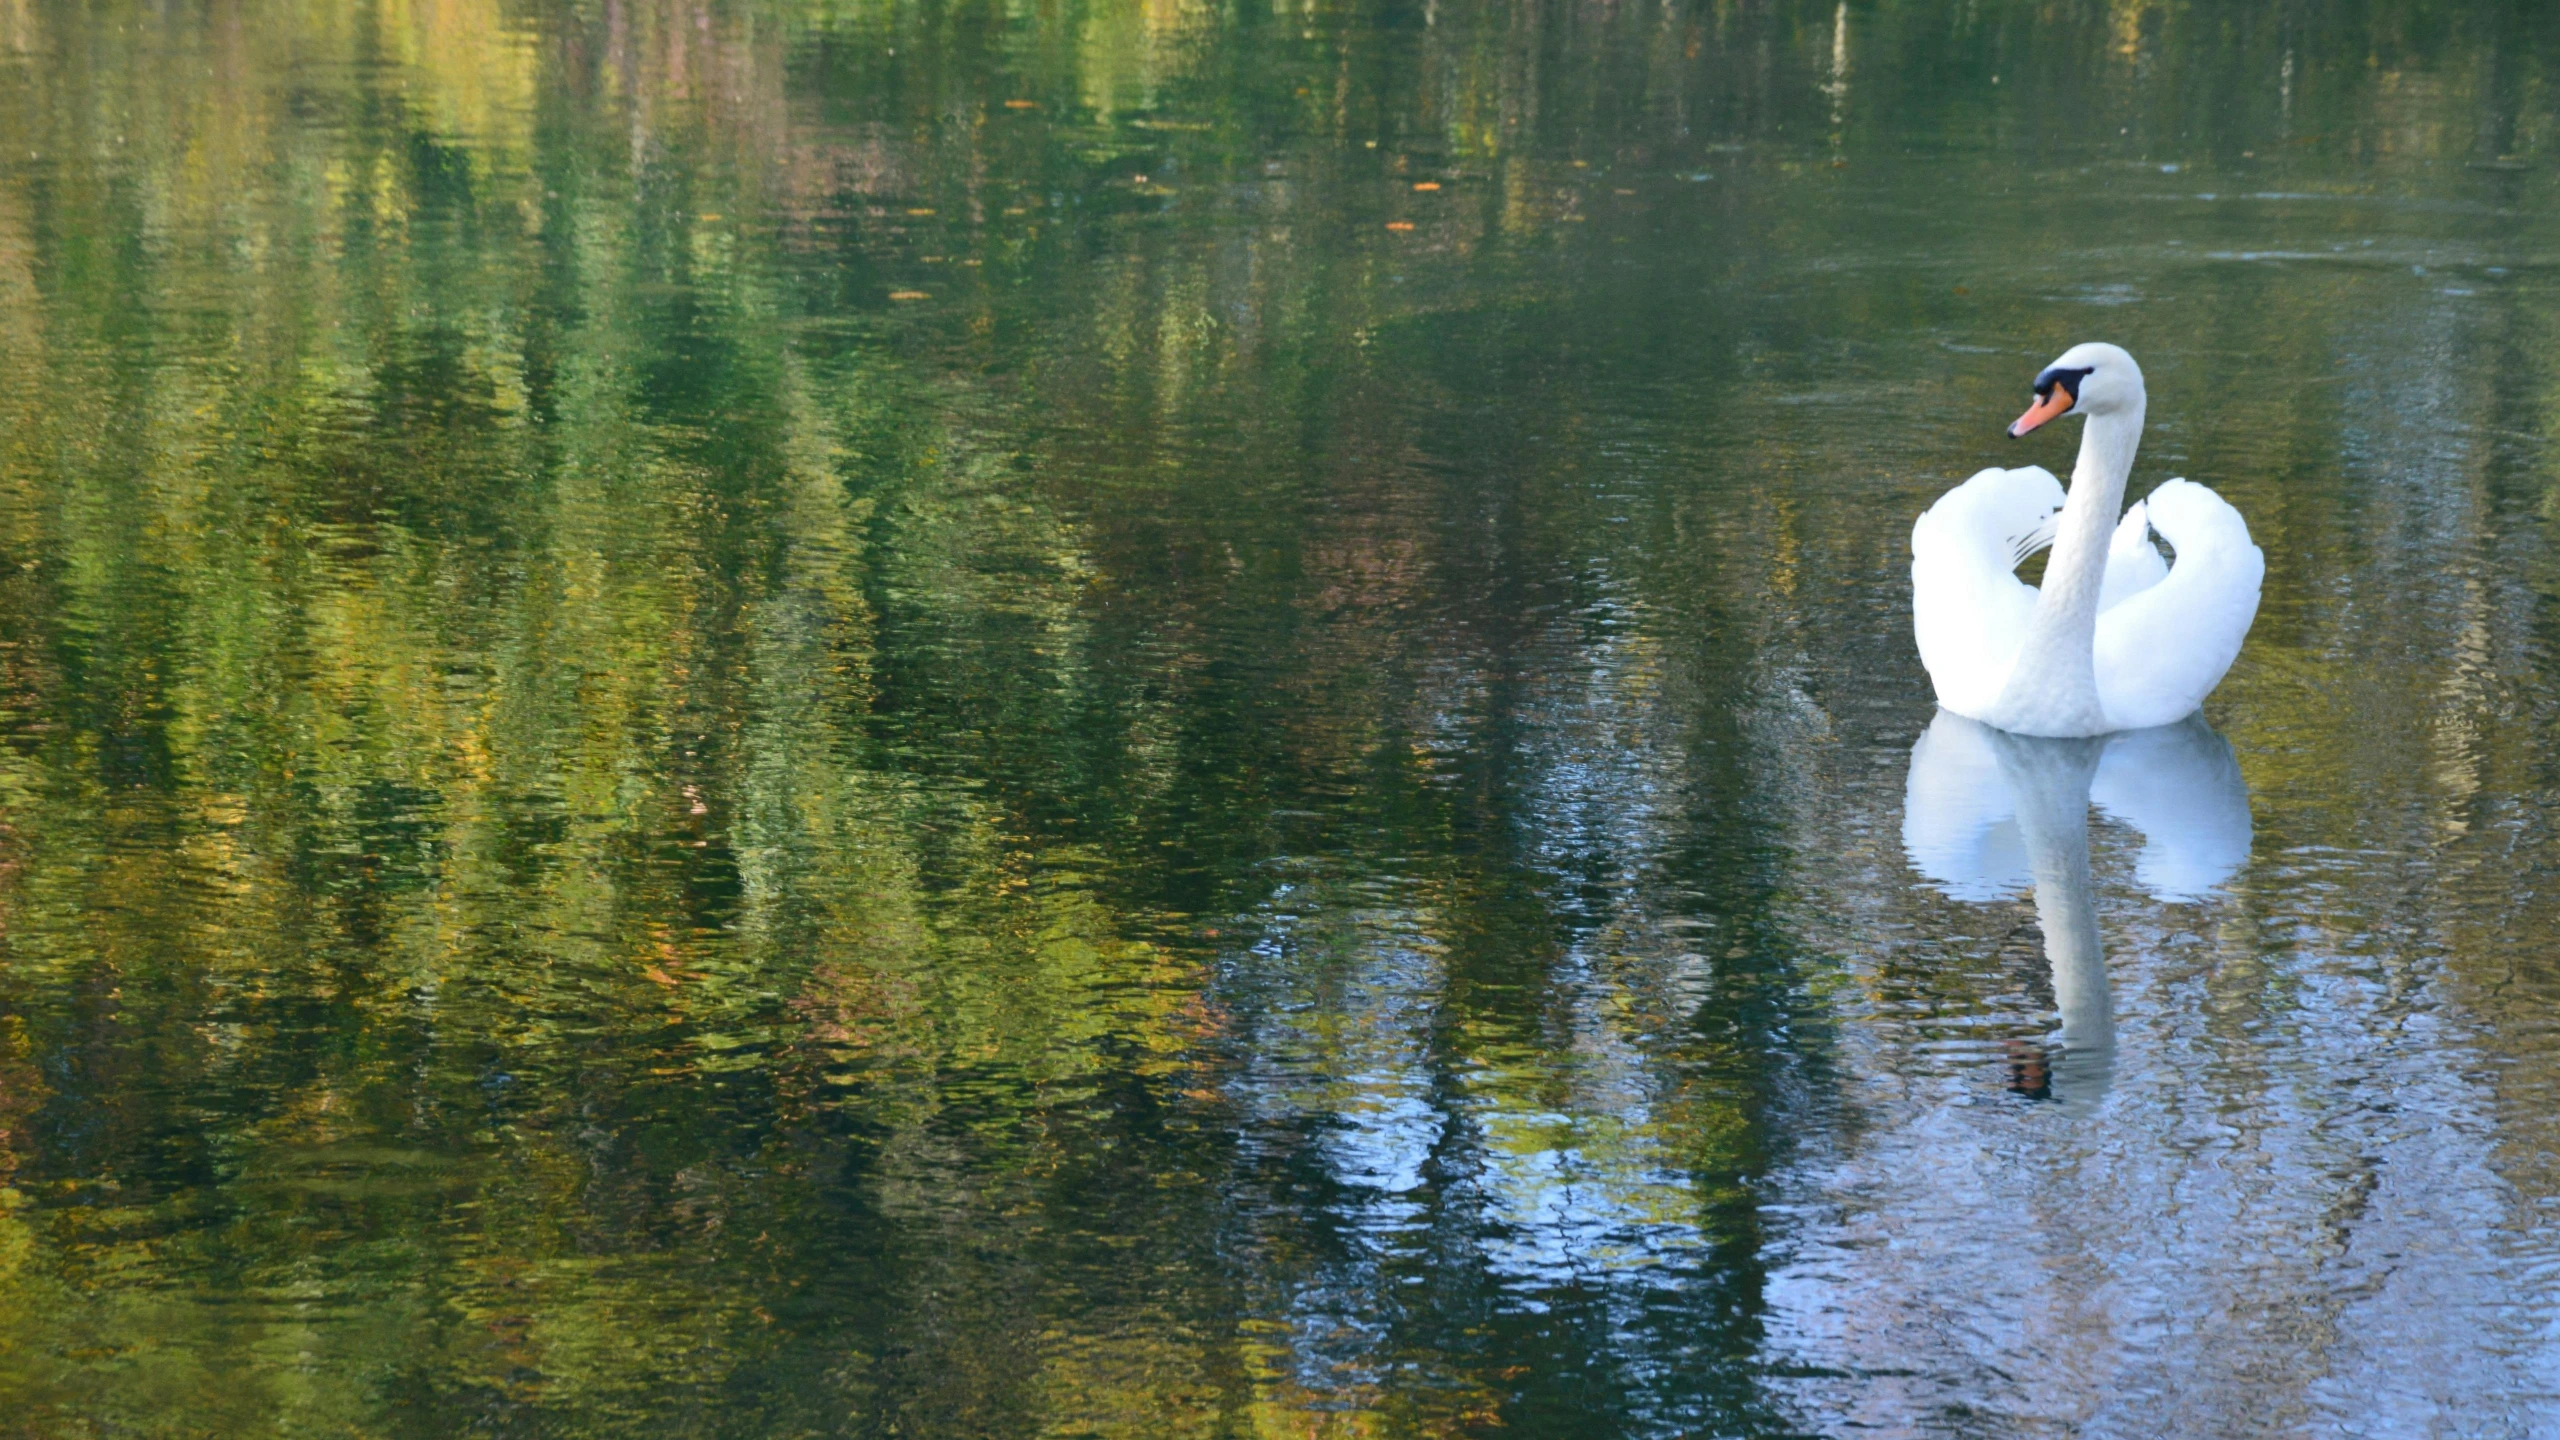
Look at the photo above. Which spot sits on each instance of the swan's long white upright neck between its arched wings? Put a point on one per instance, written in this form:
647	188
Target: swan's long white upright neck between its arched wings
2054	683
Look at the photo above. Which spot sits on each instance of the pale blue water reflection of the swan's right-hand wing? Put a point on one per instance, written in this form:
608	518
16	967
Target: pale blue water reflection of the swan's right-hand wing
2182	790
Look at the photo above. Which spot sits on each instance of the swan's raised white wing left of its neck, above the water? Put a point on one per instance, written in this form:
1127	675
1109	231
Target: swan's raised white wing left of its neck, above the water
1970	611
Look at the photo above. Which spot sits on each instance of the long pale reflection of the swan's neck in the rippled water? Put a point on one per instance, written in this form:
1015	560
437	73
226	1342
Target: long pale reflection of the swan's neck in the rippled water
2052	788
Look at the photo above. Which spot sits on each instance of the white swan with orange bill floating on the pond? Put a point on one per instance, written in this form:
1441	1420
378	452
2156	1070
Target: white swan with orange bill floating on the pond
2116	639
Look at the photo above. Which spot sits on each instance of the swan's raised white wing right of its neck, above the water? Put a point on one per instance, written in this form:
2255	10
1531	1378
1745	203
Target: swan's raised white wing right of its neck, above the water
2162	652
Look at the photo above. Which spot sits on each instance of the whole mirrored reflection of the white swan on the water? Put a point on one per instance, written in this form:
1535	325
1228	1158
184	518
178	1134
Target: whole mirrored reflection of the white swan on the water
1988	816
